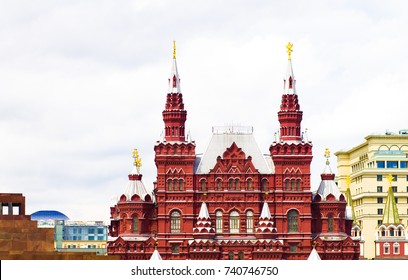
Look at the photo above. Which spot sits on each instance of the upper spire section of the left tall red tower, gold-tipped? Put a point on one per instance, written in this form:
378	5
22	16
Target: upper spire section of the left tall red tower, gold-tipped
174	115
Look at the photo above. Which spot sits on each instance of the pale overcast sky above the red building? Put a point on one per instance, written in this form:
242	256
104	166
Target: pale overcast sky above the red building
82	83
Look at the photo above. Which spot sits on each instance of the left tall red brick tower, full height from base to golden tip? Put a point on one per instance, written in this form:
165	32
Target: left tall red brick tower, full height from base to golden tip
174	159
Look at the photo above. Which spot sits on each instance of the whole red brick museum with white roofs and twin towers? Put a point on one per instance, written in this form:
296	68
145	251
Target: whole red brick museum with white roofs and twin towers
233	201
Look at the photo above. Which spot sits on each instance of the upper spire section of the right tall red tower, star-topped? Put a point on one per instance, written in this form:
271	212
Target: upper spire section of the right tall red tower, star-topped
290	116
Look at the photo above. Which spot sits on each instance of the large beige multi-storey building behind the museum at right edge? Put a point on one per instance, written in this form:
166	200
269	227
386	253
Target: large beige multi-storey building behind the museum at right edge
368	165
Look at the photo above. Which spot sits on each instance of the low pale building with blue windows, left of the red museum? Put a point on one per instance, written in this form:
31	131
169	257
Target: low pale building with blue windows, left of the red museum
79	236
